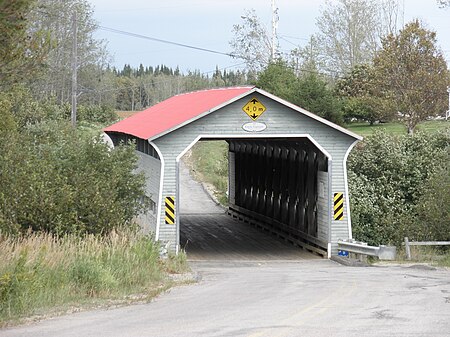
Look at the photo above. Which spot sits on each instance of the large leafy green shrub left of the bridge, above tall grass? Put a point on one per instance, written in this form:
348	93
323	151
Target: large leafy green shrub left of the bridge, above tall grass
60	180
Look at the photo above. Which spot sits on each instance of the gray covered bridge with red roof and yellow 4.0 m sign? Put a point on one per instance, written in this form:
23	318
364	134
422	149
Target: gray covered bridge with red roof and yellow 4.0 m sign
287	166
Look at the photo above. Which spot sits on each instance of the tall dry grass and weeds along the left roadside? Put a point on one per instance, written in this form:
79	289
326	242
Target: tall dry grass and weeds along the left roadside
42	275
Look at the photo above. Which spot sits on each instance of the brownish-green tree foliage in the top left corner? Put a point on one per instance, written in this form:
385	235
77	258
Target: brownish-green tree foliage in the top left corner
21	51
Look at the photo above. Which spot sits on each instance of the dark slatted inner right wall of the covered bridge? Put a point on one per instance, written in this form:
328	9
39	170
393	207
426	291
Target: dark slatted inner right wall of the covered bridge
276	185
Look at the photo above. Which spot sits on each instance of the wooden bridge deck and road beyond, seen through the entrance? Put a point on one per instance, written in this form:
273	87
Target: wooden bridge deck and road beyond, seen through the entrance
207	233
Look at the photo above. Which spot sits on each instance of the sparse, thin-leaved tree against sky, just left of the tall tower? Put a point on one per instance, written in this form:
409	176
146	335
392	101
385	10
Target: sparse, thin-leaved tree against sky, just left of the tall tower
251	42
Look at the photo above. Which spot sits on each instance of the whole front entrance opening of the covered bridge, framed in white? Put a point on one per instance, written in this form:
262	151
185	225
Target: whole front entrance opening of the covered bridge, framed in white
275	199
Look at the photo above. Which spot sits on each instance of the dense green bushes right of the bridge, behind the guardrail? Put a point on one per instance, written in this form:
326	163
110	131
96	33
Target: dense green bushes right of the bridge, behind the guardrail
392	179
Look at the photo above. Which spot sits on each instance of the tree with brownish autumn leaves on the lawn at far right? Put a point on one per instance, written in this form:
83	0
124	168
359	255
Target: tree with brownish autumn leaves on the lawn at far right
412	73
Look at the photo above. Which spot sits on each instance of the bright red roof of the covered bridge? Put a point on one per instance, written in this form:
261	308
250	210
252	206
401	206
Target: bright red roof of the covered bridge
175	111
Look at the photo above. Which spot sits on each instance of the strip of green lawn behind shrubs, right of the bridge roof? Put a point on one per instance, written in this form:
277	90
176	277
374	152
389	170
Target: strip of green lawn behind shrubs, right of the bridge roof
365	129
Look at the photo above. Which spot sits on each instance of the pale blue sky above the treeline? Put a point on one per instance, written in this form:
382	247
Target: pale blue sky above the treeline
209	23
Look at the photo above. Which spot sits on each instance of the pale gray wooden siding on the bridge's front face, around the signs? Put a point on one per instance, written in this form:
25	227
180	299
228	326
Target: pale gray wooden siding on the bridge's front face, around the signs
280	120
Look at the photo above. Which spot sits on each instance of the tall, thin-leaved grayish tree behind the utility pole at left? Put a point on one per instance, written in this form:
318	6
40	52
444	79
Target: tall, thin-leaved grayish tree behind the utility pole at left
55	18
